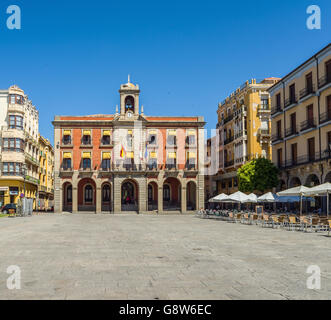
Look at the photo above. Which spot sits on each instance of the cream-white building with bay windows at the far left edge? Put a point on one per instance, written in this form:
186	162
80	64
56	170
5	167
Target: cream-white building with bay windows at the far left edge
19	146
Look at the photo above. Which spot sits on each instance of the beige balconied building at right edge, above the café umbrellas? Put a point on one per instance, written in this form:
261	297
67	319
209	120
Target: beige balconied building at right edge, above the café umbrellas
301	122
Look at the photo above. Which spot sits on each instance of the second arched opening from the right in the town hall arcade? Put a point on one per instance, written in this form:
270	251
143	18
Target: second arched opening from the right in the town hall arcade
171	195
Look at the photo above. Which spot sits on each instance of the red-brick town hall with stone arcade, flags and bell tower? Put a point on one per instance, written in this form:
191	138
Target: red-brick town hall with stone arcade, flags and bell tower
128	161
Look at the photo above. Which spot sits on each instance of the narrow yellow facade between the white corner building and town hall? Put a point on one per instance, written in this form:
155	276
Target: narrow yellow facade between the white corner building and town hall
46	176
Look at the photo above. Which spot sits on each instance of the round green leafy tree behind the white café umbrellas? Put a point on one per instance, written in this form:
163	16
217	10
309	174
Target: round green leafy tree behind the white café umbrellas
259	174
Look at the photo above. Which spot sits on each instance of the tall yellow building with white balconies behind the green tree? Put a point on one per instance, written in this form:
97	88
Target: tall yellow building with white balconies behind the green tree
244	130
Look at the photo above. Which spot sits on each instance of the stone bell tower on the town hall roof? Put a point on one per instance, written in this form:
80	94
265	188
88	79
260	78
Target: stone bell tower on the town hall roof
129	95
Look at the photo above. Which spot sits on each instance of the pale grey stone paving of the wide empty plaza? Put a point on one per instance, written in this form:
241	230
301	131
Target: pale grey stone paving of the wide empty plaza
87	256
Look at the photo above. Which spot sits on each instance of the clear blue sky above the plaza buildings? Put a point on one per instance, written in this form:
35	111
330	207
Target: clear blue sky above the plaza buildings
70	57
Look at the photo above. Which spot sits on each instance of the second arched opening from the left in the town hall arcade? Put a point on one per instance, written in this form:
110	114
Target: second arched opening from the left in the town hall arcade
86	195
